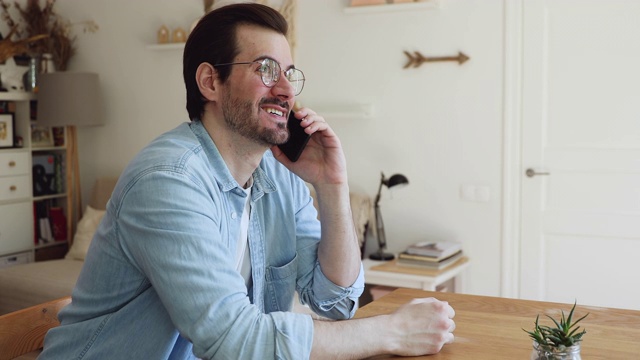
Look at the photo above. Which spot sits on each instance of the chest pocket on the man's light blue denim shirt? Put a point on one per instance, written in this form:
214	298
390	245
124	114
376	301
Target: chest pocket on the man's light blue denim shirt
281	285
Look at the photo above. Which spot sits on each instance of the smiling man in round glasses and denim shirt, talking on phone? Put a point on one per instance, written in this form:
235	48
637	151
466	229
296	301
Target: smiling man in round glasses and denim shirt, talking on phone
210	229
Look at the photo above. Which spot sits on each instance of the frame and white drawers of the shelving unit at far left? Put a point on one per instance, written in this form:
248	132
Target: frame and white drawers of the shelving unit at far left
18	218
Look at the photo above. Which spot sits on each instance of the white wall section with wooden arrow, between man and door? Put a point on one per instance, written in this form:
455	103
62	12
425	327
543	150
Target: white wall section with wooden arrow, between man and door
440	124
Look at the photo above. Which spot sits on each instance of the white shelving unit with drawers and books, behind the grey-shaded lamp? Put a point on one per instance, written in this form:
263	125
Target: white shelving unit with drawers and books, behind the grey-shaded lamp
40	162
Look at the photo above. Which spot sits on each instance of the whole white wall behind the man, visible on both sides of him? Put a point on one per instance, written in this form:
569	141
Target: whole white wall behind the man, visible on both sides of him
440	124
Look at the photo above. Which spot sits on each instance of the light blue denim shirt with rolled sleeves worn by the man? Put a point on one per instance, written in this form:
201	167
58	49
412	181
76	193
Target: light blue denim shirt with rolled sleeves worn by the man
159	279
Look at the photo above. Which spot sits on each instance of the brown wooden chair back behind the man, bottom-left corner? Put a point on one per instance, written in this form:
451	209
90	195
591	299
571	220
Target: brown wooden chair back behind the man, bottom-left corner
23	331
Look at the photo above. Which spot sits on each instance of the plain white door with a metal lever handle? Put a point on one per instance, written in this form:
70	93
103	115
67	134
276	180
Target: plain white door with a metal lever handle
580	225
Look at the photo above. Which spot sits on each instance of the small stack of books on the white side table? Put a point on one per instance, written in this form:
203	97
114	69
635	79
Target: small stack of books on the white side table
436	255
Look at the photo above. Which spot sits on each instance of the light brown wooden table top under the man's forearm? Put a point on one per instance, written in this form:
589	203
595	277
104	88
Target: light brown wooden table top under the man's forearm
491	328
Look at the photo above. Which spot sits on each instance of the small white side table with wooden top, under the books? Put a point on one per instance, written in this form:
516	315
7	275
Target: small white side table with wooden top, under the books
388	273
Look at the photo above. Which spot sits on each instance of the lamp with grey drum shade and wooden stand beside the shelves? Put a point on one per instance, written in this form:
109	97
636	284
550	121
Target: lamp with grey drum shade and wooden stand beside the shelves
70	99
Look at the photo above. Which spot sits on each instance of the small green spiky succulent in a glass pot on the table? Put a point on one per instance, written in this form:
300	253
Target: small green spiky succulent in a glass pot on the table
561	341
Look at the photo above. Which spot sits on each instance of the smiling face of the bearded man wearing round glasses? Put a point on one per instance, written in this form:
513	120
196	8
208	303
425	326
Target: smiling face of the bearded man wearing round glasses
249	107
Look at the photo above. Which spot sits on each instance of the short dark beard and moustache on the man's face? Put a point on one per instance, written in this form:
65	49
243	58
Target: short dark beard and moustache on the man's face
239	116
